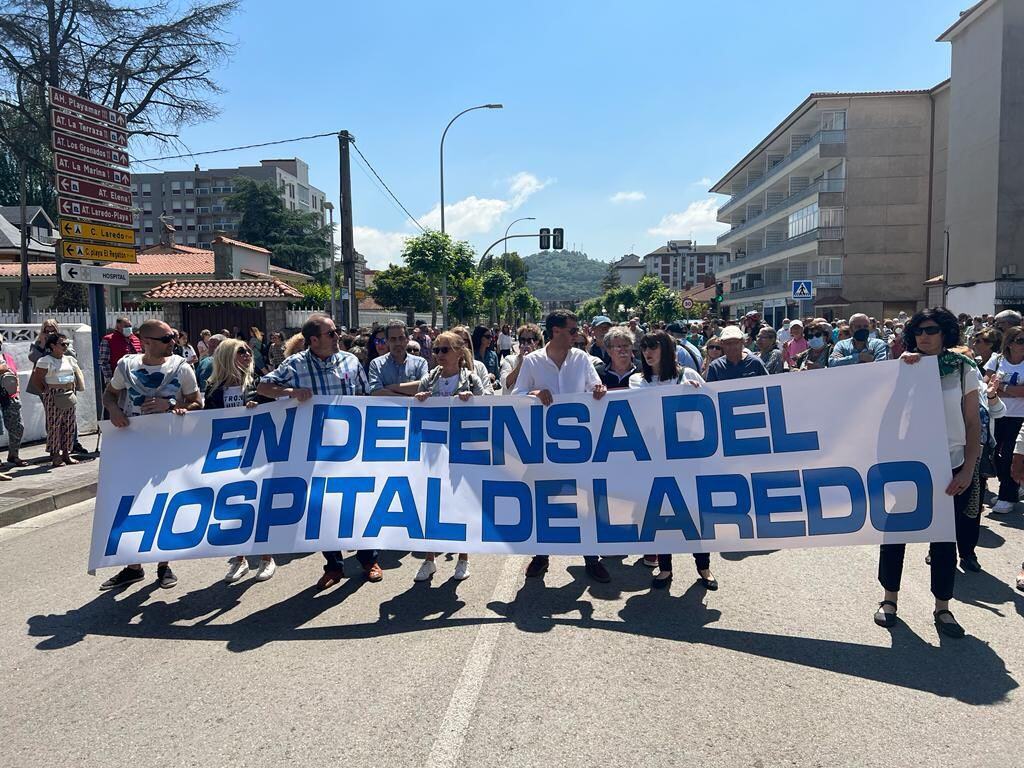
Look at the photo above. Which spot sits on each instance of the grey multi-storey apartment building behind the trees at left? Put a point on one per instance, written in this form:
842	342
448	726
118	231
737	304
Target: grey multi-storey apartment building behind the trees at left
195	202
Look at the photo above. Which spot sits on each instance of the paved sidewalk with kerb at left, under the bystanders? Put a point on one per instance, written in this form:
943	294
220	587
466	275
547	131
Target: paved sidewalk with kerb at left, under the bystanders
39	488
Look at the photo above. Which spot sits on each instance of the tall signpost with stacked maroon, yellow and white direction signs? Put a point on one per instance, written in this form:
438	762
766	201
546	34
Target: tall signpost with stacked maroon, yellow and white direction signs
89	142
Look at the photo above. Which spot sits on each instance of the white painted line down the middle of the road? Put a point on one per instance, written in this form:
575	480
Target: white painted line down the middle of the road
452	735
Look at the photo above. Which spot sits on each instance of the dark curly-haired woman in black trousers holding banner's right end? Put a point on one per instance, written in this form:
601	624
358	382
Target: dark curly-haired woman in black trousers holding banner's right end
935	332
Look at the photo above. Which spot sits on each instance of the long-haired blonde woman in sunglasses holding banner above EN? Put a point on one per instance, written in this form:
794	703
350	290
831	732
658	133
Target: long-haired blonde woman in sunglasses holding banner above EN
233	385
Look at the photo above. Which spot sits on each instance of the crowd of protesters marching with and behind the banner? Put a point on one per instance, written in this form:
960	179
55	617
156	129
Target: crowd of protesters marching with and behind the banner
980	361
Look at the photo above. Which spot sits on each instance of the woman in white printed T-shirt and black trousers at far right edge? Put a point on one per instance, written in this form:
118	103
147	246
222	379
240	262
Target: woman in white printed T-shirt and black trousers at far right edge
1007	371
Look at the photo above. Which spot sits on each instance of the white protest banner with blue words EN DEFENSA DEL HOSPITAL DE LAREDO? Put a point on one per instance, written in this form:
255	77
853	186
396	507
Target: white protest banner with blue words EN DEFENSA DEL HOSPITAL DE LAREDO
825	458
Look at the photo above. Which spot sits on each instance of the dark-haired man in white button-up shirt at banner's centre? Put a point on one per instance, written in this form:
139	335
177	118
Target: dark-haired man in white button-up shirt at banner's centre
559	368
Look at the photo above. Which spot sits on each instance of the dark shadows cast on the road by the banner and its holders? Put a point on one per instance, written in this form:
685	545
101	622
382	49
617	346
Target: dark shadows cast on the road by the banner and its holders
967	670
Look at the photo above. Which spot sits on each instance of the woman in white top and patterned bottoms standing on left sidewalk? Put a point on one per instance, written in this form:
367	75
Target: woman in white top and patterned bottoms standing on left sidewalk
58	376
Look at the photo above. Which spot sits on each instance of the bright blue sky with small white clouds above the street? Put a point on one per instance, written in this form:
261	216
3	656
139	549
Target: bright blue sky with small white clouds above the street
617	116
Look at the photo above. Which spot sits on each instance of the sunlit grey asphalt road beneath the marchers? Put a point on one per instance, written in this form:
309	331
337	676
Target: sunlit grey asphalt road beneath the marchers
781	667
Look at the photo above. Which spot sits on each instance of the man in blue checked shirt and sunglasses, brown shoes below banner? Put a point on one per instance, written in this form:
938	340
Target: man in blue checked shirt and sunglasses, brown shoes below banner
323	369
